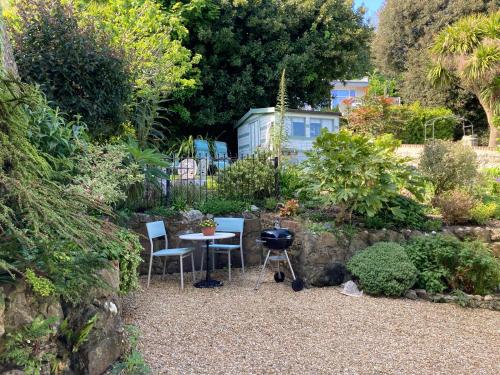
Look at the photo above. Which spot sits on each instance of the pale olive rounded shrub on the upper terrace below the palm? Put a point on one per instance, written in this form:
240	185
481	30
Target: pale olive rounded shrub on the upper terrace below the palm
448	165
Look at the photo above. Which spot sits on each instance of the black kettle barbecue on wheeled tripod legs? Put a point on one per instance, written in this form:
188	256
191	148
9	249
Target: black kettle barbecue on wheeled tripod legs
277	240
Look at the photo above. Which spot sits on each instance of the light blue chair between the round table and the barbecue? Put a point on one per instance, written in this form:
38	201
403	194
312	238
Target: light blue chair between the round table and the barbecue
231	225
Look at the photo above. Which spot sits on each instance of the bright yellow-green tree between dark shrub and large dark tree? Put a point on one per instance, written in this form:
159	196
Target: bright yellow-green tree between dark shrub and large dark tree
161	68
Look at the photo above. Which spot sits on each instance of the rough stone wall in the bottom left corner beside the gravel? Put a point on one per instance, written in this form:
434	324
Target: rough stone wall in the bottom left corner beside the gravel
104	344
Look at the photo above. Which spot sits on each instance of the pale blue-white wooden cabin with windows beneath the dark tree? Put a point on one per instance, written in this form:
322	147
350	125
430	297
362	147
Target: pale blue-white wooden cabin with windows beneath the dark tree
302	127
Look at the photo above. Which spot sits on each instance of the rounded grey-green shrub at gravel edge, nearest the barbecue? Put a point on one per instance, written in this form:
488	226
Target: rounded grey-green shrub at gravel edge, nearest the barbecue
383	268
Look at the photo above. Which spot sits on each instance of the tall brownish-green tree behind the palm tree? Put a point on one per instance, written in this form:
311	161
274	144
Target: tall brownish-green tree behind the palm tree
400	50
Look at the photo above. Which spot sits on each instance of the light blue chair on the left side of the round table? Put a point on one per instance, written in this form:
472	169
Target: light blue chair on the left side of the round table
156	230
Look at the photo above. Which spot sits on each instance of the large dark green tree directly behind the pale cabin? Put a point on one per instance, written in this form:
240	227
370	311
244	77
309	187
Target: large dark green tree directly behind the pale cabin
246	45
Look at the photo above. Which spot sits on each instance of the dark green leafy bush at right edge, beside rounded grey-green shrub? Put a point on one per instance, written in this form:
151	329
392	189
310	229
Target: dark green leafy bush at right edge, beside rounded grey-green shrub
444	262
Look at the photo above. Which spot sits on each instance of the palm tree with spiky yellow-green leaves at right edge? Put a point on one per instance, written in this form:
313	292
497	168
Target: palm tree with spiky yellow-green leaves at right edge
468	53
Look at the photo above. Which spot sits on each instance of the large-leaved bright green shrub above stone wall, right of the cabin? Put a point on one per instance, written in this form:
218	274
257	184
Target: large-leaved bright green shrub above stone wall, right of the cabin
358	173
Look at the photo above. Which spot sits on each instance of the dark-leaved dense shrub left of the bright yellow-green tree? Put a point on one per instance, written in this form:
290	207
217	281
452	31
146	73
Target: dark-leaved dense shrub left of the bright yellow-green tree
74	65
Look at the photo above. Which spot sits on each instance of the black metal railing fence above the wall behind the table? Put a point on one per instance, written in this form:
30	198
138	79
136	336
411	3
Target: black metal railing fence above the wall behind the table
192	180
